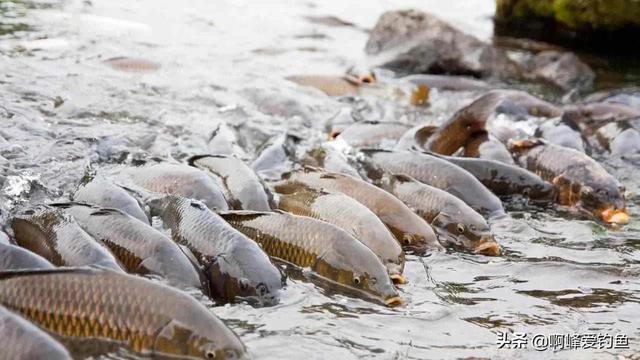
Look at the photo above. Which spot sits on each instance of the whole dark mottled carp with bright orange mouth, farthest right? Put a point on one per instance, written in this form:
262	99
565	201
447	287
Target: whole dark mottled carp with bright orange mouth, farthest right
581	182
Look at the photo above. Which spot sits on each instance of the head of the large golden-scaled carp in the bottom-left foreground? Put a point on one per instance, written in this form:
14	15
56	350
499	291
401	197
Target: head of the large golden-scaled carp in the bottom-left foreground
198	341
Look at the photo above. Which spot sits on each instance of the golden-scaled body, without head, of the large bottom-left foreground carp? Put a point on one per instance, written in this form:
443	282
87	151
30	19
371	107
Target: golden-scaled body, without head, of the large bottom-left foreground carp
82	303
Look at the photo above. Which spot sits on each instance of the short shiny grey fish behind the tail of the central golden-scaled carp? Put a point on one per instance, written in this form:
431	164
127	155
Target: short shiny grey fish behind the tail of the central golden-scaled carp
243	188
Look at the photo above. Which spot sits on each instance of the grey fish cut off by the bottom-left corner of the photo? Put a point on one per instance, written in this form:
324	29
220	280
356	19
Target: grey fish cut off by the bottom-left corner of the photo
22	340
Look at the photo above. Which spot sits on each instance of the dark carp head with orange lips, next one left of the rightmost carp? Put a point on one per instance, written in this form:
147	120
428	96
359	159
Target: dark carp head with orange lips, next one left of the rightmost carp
468	233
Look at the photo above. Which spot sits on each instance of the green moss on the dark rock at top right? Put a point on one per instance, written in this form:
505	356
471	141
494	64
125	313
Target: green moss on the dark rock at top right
575	14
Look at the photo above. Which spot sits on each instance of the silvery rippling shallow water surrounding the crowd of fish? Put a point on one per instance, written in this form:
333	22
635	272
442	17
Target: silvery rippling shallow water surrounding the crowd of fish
225	62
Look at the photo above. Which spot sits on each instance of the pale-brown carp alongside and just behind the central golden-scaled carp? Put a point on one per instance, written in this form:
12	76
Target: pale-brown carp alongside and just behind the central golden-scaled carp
346	213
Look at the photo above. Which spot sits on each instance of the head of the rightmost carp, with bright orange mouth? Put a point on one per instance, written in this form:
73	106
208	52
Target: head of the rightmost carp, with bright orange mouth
606	202
